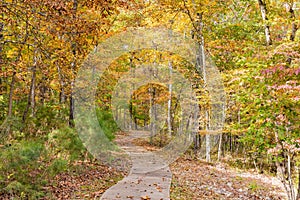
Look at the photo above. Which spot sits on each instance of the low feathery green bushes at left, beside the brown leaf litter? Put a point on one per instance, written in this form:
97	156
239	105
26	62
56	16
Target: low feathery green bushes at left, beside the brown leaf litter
28	165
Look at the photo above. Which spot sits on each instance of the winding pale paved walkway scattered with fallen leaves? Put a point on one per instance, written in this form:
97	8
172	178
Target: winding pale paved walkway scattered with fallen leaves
148	179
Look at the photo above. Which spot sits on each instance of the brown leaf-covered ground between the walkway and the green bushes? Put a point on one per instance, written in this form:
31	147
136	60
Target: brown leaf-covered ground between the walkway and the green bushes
89	180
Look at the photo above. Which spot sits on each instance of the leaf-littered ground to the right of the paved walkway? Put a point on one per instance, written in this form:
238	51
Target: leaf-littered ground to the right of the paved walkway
193	179
